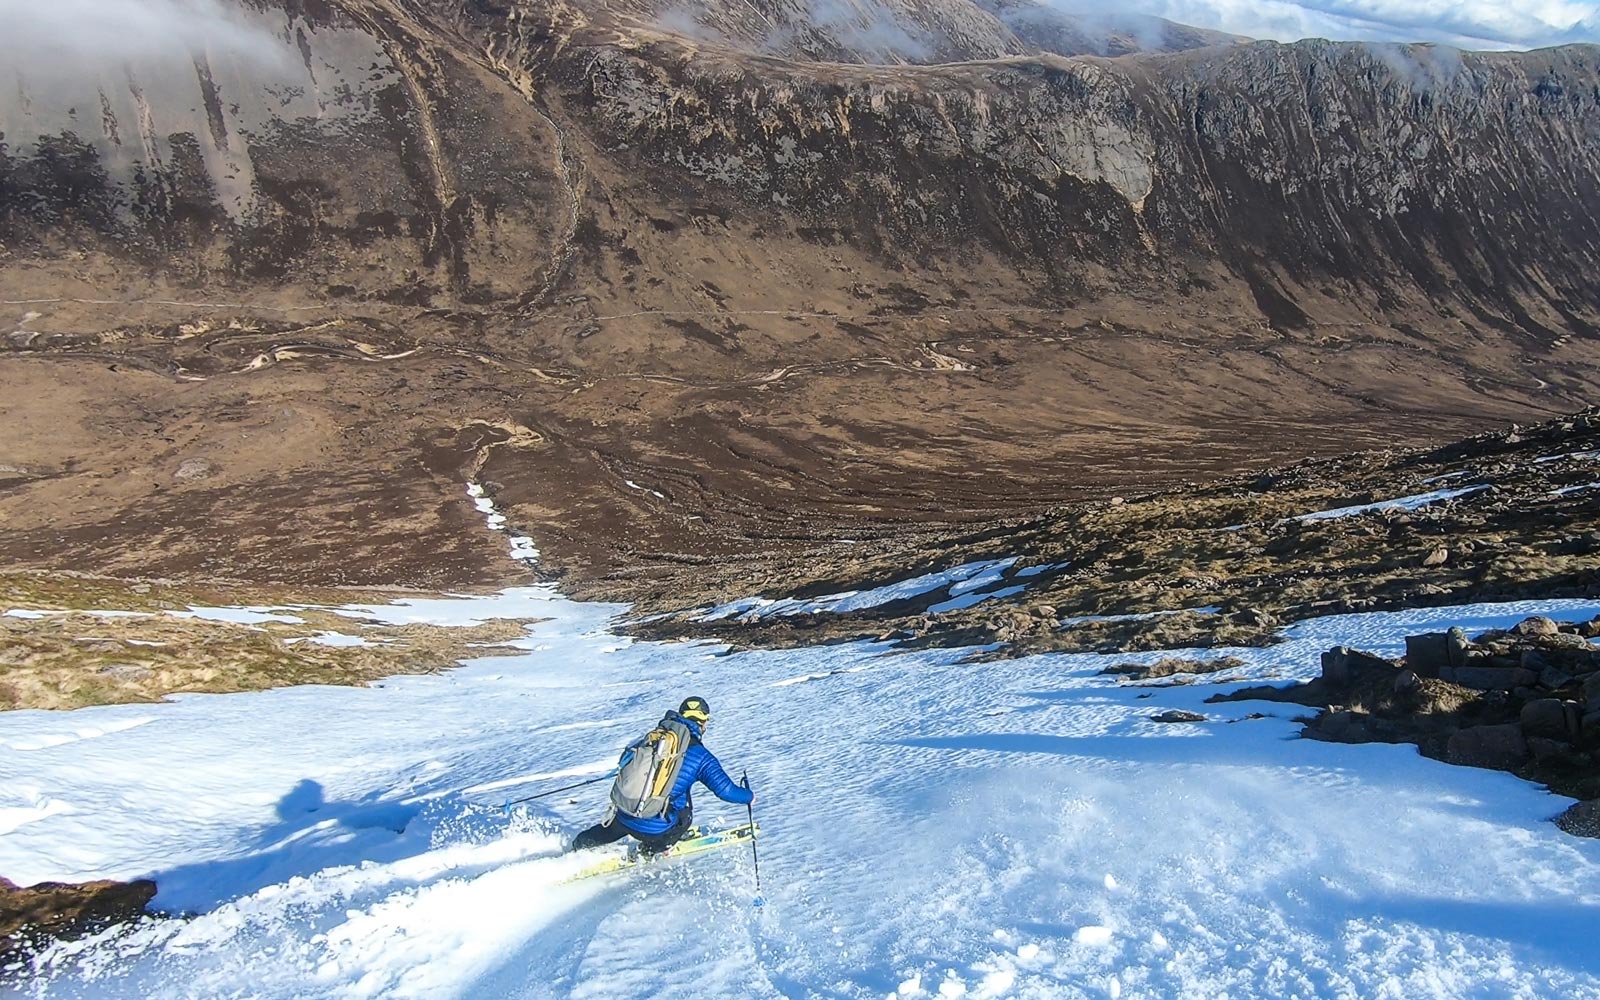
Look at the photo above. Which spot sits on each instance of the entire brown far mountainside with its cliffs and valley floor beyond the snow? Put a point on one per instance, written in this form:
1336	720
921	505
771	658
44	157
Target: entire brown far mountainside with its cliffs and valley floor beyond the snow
753	274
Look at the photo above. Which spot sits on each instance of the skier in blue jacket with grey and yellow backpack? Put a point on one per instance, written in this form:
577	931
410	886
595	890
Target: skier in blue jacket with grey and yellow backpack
668	817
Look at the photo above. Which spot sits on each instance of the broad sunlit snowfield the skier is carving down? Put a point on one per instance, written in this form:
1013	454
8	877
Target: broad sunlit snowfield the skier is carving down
932	828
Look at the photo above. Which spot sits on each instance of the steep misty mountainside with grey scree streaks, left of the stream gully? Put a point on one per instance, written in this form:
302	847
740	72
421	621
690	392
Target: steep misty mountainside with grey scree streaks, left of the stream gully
319	145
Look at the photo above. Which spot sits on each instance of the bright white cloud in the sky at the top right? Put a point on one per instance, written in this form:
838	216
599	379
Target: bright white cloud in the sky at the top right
1471	25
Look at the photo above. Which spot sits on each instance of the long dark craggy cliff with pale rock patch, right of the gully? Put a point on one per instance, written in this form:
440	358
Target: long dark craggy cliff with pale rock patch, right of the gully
1418	175
